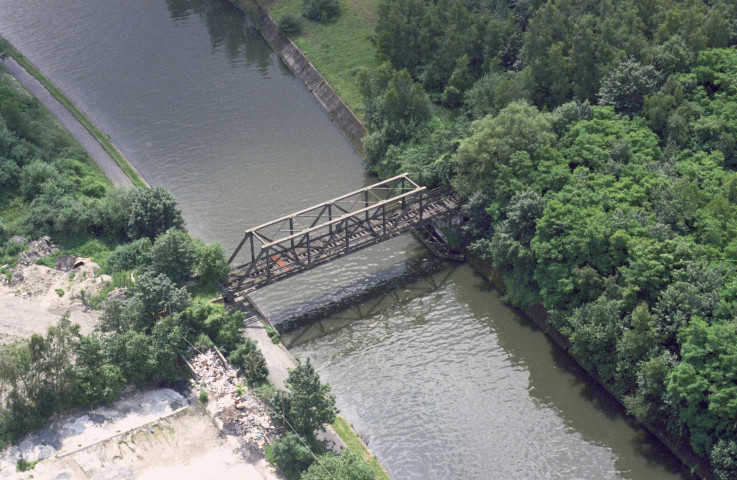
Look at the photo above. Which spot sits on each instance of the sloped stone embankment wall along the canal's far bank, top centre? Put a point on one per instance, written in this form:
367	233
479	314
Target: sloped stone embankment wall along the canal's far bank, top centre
300	65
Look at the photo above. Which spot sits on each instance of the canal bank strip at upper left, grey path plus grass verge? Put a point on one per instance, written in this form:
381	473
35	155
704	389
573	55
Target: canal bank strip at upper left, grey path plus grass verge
101	150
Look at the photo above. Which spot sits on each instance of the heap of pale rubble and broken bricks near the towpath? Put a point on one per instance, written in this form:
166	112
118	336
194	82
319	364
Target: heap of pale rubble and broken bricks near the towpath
235	408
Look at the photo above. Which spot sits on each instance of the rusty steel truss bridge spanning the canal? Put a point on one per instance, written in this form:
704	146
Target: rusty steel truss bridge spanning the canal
320	234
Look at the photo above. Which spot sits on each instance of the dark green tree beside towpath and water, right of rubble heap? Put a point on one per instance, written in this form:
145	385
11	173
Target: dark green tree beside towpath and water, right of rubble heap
311	403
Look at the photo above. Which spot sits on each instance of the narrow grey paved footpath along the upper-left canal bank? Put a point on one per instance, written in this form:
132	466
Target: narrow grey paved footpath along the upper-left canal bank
85	139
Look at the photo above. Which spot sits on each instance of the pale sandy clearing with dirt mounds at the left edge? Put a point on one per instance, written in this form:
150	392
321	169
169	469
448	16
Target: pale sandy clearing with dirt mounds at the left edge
29	304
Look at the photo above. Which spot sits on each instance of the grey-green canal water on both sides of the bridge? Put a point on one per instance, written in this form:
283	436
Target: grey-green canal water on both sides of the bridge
441	378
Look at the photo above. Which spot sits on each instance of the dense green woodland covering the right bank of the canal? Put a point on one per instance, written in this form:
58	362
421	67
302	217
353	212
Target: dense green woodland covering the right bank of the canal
595	143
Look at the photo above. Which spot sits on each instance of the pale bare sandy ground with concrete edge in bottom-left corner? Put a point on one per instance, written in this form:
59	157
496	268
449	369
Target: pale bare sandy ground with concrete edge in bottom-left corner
147	435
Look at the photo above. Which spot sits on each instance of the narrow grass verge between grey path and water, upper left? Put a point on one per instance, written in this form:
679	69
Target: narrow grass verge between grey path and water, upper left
78	114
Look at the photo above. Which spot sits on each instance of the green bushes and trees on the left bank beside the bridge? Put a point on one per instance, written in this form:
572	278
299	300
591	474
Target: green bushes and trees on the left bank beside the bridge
50	187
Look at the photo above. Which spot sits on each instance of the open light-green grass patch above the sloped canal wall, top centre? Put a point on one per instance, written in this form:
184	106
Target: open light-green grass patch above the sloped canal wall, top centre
339	49
